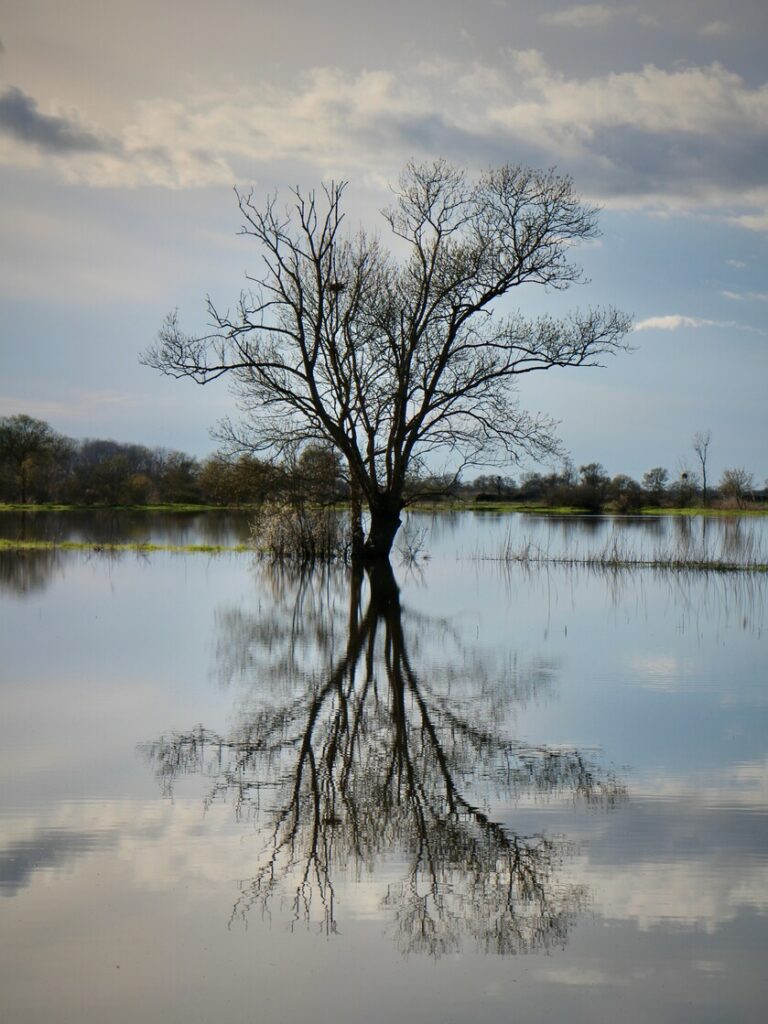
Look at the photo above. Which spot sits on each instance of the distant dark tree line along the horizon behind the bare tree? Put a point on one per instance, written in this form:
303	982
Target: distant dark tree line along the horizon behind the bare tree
37	465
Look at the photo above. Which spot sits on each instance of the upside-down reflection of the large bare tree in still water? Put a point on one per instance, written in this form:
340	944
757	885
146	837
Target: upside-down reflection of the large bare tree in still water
366	750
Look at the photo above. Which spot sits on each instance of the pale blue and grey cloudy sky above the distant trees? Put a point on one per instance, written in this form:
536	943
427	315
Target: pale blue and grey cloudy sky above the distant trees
123	129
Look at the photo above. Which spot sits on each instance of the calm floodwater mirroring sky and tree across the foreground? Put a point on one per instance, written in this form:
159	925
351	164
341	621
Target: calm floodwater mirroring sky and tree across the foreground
464	791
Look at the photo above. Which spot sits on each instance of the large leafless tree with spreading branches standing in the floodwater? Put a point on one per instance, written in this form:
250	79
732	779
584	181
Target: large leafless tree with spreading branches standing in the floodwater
391	363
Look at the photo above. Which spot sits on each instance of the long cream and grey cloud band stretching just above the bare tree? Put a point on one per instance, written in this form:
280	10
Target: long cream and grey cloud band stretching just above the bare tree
685	140
